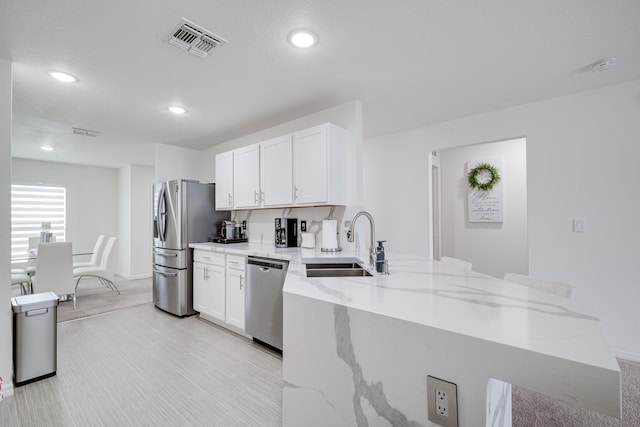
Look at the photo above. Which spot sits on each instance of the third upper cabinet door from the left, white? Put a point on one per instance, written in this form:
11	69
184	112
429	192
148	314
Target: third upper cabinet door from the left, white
277	171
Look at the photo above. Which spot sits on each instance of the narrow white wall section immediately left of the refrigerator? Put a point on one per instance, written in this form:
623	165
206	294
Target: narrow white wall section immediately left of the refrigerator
135	232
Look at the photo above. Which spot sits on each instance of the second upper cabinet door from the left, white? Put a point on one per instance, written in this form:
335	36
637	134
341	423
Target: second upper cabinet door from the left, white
246	176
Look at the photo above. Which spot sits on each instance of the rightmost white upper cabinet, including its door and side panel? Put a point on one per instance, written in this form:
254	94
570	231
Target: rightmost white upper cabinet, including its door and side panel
319	166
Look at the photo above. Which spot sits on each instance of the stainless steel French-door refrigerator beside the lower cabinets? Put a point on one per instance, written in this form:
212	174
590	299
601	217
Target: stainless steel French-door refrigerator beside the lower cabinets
183	213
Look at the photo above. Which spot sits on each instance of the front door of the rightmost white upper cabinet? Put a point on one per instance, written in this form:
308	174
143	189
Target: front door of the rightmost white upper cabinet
310	178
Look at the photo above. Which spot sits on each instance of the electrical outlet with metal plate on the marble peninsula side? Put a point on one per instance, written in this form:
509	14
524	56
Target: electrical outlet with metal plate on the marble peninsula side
442	402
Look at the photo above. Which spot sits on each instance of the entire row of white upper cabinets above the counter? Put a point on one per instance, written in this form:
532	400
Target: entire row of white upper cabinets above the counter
304	168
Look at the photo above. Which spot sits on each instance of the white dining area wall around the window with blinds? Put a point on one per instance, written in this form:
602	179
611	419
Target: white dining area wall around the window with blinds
92	200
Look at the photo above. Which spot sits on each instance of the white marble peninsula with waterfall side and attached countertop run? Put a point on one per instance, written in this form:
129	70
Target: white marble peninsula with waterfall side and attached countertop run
359	349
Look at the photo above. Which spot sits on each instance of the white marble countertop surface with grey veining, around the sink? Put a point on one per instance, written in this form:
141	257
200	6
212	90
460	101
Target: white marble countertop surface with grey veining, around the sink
428	293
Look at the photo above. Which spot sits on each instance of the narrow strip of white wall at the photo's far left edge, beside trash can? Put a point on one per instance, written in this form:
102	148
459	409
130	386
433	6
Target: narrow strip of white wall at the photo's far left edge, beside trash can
6	368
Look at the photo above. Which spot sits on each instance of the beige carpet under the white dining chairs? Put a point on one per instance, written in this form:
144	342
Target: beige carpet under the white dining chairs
94	298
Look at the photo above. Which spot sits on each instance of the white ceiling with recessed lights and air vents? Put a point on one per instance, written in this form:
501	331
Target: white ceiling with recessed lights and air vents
410	62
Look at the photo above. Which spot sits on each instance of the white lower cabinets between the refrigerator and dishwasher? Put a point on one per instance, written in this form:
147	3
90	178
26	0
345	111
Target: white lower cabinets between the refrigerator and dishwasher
219	287
